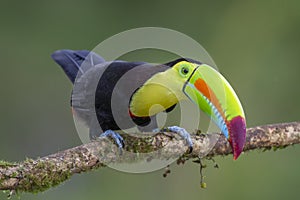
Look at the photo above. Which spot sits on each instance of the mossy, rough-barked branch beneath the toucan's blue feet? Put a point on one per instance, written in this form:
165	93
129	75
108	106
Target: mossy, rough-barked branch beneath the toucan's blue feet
43	173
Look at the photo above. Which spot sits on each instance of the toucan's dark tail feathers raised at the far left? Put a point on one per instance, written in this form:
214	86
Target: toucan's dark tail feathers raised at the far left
71	61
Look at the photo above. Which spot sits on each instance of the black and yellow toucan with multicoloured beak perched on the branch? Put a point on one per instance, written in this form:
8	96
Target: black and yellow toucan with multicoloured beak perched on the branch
115	95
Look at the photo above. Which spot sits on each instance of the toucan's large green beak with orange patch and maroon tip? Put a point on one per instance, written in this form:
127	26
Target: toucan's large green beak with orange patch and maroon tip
213	94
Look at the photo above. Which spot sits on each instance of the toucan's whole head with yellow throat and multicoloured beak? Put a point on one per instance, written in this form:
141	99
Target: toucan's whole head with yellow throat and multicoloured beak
204	86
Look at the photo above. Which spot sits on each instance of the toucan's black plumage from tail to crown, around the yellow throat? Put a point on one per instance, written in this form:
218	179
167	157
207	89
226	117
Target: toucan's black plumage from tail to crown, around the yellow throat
102	90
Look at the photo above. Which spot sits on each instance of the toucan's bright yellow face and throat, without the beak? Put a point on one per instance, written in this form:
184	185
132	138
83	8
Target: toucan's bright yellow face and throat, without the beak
162	91
